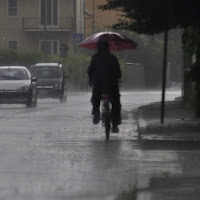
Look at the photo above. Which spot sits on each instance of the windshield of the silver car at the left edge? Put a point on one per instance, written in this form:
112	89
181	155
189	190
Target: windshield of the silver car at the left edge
13	74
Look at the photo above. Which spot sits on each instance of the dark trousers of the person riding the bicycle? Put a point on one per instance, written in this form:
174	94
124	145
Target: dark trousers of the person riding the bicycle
114	96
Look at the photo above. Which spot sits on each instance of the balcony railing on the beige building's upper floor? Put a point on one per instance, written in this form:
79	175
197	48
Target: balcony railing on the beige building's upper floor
36	24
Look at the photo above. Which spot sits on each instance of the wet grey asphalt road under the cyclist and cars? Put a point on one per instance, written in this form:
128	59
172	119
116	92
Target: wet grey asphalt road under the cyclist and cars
54	152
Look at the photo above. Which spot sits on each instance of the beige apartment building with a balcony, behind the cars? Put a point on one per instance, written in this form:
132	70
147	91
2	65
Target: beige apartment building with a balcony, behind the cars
40	25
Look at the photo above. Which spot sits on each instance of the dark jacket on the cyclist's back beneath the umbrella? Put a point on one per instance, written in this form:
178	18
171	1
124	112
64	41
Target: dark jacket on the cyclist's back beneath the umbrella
104	70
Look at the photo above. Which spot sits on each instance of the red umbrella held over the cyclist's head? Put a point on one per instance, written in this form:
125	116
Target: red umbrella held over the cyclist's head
117	42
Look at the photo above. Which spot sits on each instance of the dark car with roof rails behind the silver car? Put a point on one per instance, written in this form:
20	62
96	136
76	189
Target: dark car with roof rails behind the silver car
51	80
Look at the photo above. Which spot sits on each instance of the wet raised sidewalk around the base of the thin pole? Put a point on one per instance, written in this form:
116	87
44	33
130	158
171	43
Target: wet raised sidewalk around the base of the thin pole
180	123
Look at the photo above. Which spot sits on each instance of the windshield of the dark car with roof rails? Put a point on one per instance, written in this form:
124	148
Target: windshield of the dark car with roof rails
46	72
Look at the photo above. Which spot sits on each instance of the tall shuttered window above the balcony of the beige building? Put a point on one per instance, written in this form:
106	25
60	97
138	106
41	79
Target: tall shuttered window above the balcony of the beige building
51	9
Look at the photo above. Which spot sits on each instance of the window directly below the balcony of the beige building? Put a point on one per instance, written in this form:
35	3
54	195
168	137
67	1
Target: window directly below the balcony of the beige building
50	47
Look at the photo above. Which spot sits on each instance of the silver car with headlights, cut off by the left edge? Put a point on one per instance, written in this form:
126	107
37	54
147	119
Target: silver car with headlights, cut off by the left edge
17	86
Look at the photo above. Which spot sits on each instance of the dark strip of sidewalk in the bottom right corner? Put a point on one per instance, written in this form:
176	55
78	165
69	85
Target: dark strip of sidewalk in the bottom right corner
172	188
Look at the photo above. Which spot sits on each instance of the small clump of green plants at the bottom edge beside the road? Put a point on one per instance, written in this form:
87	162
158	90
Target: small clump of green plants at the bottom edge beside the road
128	194
